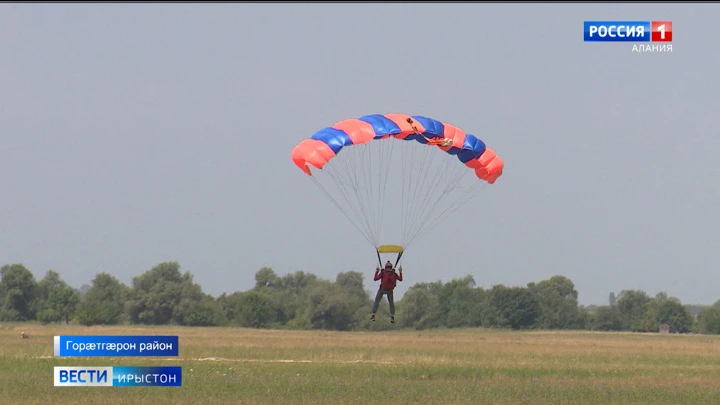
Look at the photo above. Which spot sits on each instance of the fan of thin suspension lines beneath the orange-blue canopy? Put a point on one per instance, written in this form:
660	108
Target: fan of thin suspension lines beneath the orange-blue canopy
431	188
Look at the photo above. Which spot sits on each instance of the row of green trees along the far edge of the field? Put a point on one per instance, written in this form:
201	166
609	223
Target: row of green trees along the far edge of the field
163	295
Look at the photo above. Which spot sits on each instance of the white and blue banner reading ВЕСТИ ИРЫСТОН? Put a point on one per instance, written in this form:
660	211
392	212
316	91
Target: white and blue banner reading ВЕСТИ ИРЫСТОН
118	376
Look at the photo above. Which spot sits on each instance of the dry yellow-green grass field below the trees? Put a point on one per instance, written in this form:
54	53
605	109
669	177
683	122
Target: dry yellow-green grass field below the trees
244	366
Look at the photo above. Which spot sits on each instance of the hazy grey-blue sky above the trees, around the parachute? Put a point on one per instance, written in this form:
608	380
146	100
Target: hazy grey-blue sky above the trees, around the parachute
133	134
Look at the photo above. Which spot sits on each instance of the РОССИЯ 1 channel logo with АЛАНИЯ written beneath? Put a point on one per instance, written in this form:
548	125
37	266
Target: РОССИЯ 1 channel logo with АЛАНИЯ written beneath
657	33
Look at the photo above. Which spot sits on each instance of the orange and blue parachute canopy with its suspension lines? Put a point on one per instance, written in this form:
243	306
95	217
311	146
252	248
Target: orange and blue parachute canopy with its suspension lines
441	168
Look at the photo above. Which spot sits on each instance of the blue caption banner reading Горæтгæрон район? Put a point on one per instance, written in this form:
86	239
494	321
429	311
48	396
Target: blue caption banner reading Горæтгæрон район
116	346
